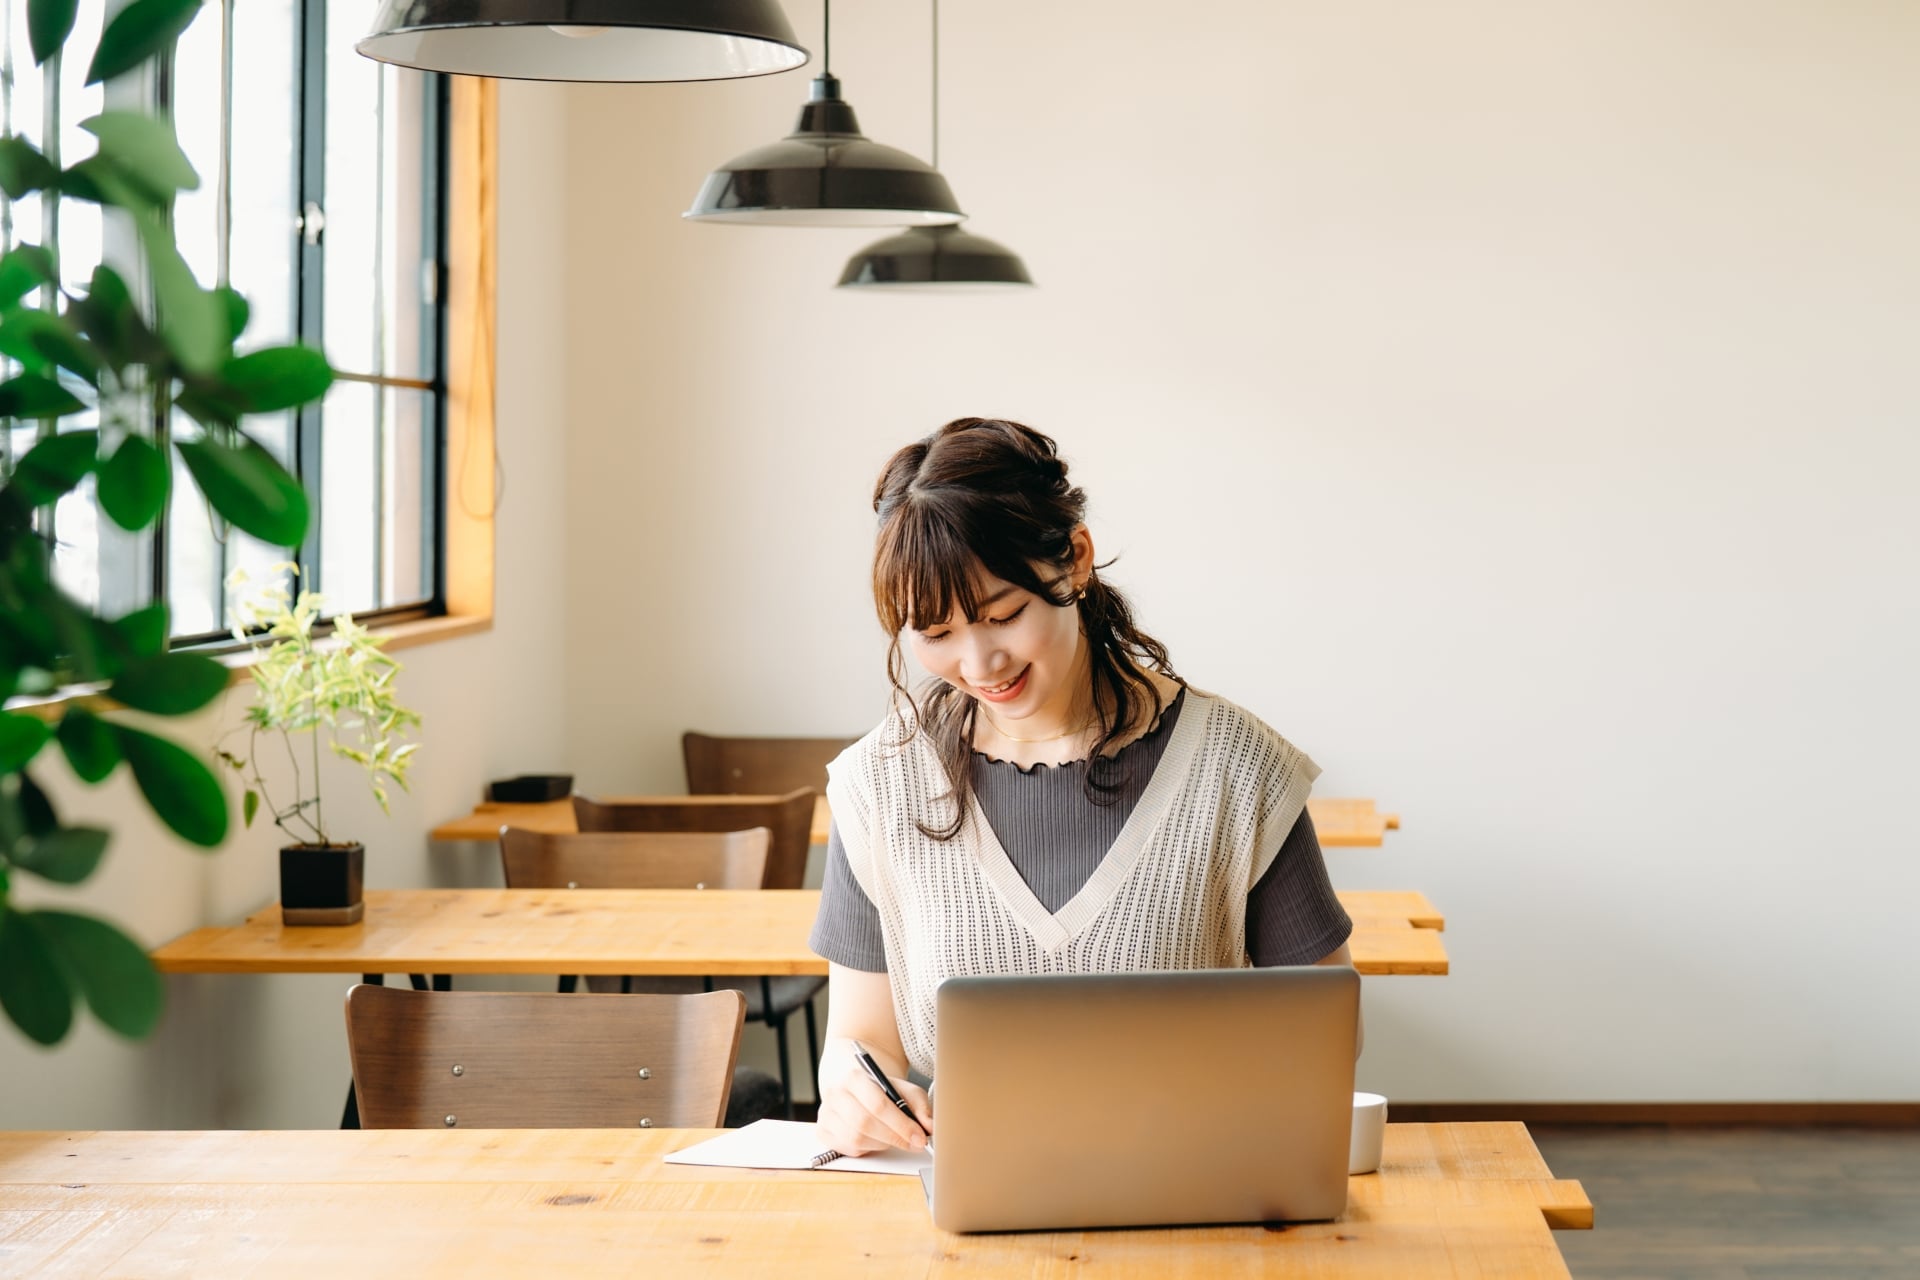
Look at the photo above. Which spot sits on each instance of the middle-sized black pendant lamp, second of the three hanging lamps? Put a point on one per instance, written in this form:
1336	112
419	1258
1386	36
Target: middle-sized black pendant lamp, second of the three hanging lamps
827	174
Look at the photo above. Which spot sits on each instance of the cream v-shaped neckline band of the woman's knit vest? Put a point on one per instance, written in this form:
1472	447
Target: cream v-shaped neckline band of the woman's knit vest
1055	930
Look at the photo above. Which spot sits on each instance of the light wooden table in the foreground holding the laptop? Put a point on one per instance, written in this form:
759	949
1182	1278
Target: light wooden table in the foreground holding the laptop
1451	1200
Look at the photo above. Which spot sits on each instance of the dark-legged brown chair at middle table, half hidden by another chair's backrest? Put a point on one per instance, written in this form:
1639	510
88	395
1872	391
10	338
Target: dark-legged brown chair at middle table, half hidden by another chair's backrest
771	999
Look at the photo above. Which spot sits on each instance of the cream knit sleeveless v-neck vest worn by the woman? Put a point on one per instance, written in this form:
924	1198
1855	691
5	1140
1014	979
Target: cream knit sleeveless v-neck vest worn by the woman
1170	895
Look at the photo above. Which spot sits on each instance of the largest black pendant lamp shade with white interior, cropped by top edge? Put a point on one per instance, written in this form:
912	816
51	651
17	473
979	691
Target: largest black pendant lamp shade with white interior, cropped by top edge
587	39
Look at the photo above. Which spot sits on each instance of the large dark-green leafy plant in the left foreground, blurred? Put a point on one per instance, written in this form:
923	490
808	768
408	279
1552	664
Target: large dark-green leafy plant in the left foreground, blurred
130	364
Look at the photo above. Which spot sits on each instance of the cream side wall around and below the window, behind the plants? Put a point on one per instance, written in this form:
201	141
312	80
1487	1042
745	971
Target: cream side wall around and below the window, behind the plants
245	1053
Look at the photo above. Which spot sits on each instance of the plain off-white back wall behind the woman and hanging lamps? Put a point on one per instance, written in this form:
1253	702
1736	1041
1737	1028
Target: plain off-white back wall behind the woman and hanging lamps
1510	402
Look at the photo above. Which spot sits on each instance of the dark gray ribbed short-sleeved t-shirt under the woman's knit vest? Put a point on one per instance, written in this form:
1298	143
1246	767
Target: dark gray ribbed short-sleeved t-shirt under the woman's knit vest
1057	838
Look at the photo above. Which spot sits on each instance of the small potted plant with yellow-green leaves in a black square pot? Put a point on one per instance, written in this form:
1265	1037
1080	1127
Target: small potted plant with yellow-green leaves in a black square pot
341	690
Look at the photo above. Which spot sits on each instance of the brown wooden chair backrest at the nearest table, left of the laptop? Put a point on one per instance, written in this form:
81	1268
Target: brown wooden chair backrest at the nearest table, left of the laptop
540	1060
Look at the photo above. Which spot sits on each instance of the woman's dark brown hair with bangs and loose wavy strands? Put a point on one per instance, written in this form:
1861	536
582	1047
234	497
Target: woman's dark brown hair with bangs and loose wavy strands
986	494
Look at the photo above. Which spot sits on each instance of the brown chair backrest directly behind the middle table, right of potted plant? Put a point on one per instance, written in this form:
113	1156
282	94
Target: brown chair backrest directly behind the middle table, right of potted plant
635	859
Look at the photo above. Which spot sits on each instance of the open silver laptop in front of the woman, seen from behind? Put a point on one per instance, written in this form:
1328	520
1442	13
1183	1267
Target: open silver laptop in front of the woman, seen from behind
1143	1099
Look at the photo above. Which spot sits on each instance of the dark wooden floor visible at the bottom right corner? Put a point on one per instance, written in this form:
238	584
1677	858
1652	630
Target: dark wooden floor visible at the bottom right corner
1742	1204
